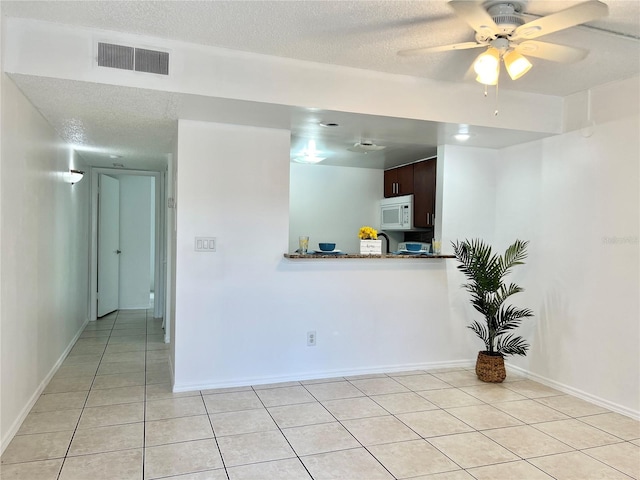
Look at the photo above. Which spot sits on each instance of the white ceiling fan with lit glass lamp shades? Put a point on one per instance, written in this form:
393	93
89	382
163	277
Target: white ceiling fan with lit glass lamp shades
501	29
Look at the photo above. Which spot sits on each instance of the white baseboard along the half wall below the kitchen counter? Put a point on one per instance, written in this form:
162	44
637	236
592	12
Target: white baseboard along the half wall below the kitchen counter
248	381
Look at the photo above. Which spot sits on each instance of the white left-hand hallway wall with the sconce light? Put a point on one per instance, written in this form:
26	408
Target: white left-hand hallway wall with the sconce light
45	249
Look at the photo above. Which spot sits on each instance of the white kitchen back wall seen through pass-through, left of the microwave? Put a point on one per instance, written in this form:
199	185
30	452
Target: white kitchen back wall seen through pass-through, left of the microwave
330	204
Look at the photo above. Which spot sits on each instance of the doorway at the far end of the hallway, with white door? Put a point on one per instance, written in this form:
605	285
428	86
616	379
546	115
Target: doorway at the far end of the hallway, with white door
128	254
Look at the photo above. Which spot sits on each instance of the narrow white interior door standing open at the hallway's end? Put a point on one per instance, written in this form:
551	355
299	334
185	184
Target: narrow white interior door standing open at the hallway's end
108	244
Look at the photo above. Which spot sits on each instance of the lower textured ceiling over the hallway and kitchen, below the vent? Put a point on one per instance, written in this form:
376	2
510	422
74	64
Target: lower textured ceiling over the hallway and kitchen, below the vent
139	125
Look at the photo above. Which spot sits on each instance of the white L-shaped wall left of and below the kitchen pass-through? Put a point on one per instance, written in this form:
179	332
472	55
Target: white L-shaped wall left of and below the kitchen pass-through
242	313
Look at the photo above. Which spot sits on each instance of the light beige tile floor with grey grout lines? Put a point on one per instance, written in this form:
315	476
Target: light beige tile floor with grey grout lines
109	413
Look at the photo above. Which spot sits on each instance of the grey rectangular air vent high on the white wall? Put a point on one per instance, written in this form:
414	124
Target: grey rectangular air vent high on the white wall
130	58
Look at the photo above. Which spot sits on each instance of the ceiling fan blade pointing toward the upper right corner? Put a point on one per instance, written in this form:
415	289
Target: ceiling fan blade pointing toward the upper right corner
569	17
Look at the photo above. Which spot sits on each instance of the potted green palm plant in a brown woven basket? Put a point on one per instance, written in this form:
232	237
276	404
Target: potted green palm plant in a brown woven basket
486	273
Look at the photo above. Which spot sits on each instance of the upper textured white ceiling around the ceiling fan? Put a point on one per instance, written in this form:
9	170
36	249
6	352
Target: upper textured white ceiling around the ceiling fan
362	34
